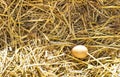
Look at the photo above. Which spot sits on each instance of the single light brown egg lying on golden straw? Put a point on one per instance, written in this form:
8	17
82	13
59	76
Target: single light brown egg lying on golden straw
79	51
